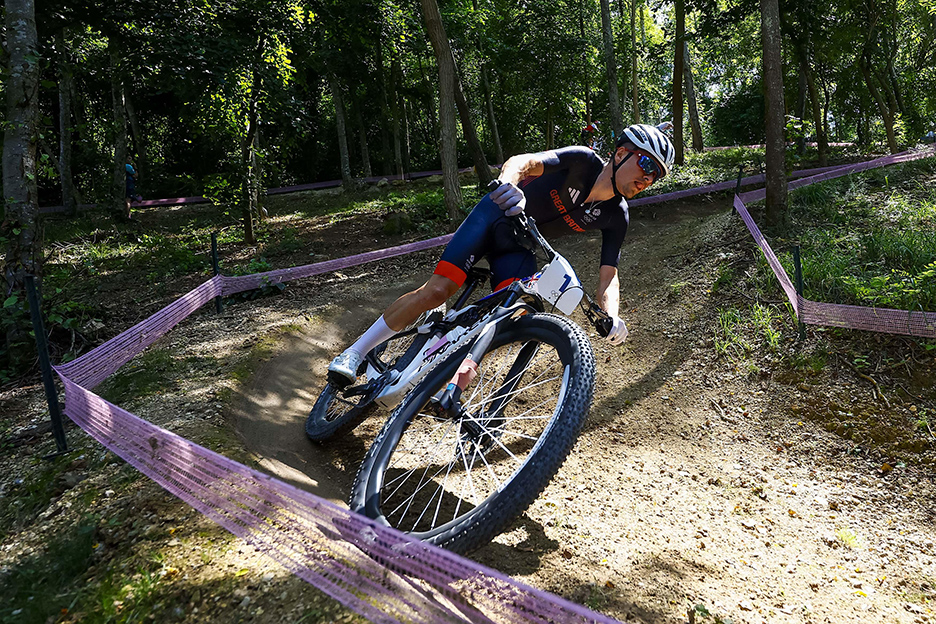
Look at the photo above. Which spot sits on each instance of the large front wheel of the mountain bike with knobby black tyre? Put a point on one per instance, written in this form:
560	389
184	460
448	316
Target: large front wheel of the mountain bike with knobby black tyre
459	481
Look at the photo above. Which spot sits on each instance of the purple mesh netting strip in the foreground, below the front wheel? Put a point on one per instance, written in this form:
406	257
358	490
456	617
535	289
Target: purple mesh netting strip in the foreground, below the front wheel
376	571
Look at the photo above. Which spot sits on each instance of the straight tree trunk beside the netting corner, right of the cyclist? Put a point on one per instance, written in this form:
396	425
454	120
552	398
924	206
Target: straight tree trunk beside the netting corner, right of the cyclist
773	87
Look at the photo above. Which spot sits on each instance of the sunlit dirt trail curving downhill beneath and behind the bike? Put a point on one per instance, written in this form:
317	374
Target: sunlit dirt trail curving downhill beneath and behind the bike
694	482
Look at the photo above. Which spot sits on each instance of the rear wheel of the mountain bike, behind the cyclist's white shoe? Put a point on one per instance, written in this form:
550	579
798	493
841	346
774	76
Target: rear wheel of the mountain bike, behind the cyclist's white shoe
339	410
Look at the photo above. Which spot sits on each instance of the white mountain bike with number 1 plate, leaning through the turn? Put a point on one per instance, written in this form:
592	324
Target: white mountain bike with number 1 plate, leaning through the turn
489	399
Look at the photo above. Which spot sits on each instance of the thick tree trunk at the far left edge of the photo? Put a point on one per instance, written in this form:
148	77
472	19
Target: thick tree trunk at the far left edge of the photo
20	205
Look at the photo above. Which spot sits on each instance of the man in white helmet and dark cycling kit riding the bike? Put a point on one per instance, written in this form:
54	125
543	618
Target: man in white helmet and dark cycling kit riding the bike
565	190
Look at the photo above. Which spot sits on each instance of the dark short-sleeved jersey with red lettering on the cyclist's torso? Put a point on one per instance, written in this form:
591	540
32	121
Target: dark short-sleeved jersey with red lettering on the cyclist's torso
556	200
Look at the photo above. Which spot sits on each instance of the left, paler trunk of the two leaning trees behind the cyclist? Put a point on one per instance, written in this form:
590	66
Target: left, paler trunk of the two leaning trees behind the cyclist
447	79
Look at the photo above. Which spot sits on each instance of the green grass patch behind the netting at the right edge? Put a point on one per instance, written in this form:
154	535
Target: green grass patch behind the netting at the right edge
870	239
